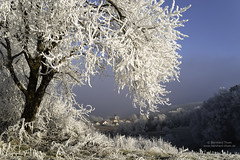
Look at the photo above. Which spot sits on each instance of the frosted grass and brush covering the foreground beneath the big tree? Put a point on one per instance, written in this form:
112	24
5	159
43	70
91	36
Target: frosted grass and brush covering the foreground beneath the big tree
58	135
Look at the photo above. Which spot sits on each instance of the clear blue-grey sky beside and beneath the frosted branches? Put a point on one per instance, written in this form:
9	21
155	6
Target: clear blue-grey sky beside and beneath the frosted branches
211	59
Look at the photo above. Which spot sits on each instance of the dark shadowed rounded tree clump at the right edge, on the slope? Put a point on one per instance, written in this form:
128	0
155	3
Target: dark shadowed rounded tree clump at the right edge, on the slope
218	119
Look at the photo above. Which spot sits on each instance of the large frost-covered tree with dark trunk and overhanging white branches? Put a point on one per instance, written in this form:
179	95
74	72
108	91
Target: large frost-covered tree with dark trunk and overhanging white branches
65	42
